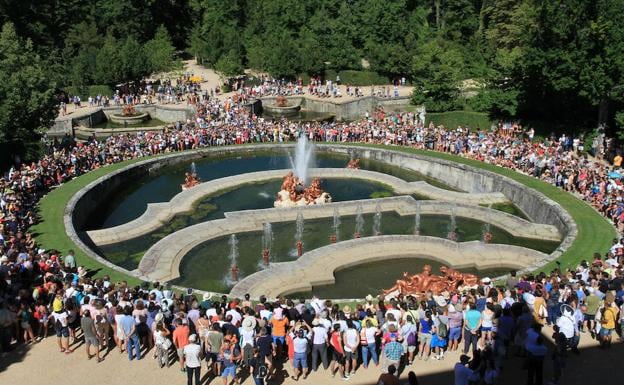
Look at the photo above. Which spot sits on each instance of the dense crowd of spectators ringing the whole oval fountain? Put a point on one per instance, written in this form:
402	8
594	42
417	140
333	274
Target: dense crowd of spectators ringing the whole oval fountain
46	290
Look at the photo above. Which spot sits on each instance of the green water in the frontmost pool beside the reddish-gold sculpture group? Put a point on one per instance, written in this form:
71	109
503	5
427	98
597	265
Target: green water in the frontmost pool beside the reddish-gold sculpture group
371	278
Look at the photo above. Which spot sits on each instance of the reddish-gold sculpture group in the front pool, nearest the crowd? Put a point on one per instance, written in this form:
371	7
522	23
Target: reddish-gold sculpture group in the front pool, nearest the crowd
423	282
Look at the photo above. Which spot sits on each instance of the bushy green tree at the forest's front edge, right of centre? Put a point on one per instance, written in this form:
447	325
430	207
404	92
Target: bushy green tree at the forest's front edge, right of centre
435	74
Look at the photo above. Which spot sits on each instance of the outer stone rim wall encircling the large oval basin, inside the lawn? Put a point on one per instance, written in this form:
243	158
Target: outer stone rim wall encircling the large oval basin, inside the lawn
539	208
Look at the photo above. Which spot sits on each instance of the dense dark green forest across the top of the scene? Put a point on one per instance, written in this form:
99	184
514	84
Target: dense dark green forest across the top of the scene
548	60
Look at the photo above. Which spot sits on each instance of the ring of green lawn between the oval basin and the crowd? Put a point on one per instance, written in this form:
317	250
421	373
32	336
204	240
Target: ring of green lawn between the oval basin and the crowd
594	232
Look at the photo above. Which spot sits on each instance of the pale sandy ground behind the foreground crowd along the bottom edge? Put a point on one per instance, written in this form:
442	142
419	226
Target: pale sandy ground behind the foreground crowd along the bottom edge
42	364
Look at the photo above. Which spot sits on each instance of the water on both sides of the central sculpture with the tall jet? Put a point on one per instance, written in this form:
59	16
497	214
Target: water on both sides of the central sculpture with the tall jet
247	197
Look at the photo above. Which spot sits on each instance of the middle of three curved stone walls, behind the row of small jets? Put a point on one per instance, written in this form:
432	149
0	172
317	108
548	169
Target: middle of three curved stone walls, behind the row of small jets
162	261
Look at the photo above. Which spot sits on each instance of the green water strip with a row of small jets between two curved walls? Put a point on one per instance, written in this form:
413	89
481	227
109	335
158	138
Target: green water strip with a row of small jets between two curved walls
206	265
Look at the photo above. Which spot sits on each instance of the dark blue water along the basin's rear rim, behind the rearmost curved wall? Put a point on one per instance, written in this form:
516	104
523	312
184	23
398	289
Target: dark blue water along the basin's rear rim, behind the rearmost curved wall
131	201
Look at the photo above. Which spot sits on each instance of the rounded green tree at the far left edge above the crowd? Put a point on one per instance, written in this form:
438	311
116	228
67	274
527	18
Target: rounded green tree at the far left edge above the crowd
29	104
